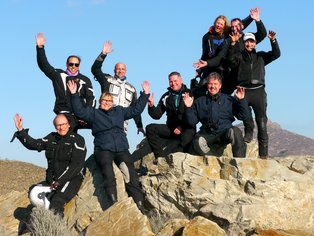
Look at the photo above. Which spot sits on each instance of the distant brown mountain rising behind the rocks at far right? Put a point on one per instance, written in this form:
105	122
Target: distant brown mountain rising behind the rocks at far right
284	143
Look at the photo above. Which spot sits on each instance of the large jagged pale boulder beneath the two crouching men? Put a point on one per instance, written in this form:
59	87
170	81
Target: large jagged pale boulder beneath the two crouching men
251	193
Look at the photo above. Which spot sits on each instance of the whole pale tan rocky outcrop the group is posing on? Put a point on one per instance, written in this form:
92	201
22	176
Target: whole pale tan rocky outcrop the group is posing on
193	195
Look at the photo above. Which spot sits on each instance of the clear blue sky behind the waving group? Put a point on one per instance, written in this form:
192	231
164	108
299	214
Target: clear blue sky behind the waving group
153	38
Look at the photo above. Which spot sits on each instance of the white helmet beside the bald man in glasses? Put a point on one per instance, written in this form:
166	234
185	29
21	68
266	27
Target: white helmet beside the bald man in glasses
37	196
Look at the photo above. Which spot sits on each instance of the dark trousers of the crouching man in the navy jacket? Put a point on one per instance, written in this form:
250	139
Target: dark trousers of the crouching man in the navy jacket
204	140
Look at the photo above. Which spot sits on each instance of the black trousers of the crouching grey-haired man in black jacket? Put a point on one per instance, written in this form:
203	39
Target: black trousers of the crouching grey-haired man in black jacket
155	133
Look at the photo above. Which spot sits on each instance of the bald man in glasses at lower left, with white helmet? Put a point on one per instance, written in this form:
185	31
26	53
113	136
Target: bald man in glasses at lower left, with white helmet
65	153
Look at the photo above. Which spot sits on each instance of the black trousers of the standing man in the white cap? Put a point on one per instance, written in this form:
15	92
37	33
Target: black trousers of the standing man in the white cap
257	100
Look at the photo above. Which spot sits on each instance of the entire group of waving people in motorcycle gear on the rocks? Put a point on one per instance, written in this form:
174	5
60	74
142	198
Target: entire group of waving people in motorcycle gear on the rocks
229	64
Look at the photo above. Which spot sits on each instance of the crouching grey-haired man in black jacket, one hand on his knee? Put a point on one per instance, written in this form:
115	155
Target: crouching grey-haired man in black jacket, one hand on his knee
176	128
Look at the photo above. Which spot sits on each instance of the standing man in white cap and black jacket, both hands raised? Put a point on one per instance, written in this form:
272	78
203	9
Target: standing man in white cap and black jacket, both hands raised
250	67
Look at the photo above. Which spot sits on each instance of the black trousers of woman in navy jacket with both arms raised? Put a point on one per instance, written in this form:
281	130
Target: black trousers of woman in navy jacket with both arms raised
125	163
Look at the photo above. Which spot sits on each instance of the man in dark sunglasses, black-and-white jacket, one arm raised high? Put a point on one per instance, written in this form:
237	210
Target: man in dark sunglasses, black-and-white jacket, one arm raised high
59	78
